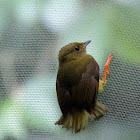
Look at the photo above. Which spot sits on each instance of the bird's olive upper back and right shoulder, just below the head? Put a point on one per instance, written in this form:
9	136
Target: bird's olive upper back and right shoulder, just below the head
71	73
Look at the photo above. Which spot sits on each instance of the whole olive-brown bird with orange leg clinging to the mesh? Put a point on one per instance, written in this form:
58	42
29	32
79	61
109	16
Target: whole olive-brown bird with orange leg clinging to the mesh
77	86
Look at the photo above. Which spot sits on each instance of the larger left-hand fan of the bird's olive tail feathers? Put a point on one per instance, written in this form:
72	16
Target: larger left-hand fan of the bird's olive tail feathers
76	120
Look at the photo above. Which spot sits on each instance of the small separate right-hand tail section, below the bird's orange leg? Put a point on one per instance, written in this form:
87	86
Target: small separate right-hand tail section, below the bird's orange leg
98	111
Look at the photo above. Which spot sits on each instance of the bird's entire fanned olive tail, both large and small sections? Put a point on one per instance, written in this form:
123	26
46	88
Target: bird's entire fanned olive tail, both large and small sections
78	120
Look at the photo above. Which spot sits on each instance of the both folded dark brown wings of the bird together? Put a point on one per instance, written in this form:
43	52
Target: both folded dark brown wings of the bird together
83	94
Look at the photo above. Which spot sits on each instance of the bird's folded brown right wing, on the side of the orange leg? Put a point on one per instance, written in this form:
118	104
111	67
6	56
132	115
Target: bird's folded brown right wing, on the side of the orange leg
84	94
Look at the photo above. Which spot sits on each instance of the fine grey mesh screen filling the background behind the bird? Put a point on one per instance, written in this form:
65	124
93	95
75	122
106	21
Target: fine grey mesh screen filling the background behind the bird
31	34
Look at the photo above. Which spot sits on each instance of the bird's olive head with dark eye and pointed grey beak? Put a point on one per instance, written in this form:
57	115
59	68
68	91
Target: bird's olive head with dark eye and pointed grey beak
72	51
